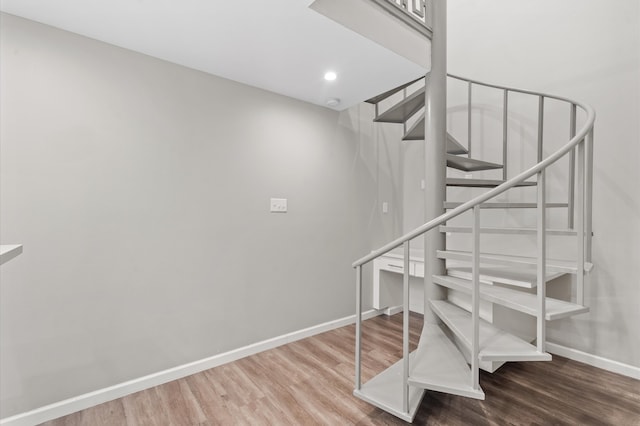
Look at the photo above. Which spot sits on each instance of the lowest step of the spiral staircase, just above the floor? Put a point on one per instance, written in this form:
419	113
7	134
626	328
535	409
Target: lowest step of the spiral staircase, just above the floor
385	392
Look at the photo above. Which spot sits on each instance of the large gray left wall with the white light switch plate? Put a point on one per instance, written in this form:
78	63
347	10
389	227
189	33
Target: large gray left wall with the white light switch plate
140	190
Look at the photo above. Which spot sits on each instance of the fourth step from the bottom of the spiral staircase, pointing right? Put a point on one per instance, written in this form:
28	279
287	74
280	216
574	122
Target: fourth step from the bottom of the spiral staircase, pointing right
514	299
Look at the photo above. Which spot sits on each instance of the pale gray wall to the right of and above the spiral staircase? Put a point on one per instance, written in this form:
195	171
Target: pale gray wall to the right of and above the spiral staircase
588	51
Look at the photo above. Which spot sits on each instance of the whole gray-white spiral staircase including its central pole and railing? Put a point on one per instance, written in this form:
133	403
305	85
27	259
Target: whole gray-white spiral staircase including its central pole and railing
456	341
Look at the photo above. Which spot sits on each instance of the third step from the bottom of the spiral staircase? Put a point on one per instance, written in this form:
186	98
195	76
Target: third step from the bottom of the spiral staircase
495	344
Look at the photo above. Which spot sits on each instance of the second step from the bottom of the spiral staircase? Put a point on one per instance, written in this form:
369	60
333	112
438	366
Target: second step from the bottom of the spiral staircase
438	365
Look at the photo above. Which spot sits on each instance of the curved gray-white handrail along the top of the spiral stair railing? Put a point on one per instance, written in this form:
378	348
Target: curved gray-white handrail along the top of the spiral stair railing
577	139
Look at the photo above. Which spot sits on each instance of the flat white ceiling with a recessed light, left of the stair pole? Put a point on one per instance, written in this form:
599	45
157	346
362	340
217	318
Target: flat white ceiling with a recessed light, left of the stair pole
278	45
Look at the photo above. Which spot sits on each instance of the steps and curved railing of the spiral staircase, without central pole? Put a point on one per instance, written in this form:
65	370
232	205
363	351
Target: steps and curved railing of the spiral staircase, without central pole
453	349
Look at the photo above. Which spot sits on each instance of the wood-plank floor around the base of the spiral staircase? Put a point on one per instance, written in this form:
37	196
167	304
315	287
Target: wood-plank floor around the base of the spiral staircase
310	382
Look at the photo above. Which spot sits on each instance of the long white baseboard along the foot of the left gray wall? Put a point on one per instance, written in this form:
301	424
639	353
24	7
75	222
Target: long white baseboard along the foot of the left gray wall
91	399
